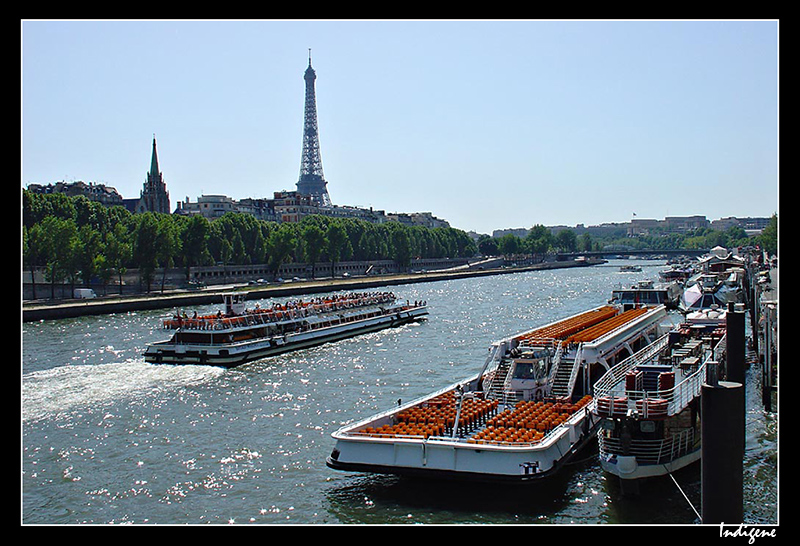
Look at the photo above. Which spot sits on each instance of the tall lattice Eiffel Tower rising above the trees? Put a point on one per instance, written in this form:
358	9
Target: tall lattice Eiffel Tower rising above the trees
312	181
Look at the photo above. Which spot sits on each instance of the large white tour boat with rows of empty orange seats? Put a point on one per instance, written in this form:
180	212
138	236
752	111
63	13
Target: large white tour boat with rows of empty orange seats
520	419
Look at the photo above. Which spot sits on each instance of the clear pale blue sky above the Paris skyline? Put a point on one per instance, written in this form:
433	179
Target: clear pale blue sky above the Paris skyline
486	124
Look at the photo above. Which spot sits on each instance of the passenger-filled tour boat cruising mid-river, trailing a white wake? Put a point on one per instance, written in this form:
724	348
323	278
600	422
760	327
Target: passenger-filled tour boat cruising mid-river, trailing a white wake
239	335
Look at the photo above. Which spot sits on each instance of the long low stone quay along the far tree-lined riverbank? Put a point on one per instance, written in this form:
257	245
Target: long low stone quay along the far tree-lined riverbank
35	311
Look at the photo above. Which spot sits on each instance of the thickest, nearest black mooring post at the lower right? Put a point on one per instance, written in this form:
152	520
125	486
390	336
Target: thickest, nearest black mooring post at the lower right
722	460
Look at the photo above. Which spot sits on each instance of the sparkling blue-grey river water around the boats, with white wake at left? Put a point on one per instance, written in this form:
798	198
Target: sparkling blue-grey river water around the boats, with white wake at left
107	438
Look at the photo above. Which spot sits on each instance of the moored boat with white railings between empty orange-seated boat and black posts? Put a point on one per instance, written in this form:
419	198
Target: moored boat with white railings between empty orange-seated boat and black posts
649	404
